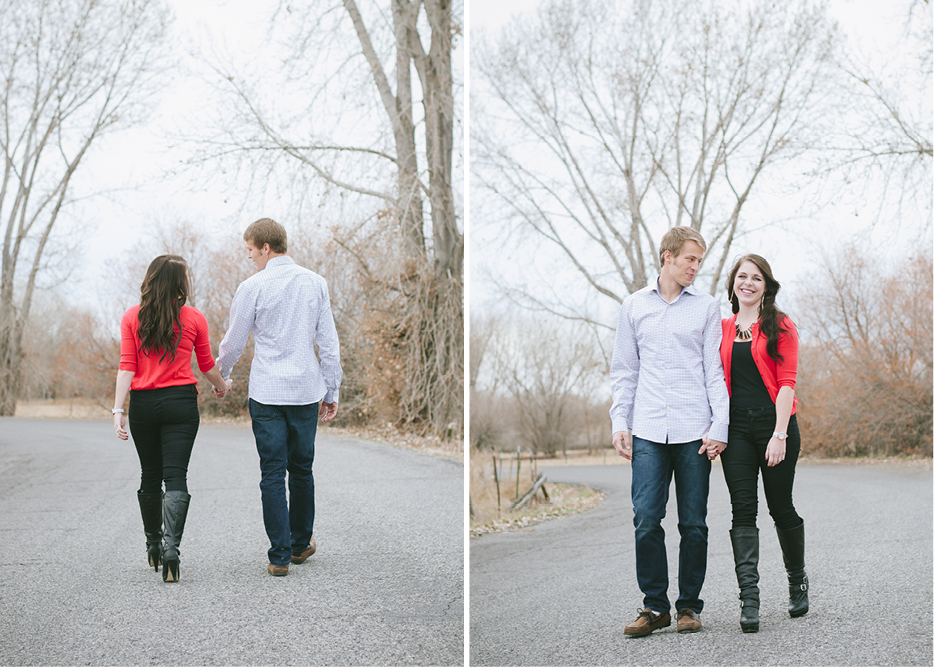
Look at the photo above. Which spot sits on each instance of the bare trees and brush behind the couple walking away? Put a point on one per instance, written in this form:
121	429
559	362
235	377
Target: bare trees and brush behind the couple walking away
74	71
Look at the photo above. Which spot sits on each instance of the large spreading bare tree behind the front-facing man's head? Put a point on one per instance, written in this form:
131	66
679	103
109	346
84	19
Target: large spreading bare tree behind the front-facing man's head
606	124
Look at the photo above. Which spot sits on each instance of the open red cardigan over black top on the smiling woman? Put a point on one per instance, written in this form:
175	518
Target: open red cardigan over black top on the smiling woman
775	375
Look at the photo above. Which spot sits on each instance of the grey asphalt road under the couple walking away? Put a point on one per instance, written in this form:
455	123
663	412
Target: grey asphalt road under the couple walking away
385	587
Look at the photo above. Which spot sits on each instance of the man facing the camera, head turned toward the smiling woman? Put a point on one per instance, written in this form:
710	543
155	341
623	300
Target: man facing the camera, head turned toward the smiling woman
668	392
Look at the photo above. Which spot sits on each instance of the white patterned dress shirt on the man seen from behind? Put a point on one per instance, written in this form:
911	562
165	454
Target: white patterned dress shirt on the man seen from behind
288	310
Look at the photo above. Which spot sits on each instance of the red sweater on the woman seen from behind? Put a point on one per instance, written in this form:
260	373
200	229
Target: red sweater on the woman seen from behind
149	372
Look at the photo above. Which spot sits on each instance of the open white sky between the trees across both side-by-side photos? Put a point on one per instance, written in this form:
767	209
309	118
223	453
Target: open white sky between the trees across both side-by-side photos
138	156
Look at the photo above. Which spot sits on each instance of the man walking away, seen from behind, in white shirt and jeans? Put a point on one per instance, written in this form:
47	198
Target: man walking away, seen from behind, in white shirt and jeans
288	311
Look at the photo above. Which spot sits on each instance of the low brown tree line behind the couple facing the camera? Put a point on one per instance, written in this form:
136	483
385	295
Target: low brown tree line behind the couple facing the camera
864	382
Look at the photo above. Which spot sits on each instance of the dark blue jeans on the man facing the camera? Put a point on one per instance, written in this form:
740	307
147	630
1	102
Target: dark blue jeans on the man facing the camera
652	467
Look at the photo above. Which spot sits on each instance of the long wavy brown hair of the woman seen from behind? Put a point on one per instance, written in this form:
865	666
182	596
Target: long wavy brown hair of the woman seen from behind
163	293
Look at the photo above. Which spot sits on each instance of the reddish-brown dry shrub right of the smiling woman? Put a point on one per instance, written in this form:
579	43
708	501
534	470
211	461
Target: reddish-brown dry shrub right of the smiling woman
864	373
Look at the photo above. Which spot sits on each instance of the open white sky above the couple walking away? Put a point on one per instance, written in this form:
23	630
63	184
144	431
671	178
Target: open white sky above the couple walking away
137	159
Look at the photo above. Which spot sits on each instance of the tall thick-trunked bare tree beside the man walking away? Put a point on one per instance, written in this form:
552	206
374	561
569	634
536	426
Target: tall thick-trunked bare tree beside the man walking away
390	151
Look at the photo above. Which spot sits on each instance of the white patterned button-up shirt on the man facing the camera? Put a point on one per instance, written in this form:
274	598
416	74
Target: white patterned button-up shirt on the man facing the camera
666	375
